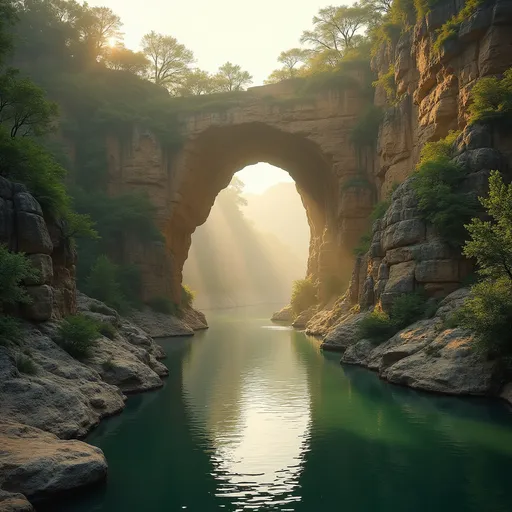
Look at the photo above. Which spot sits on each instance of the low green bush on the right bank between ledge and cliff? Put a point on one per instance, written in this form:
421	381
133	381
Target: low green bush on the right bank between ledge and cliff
406	309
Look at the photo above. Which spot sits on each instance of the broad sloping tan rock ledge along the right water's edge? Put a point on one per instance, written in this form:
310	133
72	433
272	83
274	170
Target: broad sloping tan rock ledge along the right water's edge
425	356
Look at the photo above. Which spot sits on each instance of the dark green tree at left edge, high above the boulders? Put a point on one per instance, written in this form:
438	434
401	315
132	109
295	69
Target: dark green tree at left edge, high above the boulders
23	106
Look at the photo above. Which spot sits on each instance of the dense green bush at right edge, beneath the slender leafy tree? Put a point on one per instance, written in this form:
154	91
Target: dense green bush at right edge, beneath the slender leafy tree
488	313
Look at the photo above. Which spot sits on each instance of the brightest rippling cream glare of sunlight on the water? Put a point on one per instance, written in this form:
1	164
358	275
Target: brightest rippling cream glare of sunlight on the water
263	462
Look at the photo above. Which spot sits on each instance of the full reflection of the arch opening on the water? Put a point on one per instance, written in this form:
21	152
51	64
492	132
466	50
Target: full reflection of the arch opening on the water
256	416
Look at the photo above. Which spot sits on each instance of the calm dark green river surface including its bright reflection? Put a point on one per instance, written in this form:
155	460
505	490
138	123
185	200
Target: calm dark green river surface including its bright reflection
255	417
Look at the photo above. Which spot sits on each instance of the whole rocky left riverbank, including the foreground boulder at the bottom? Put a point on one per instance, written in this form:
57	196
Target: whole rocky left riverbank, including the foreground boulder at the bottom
61	399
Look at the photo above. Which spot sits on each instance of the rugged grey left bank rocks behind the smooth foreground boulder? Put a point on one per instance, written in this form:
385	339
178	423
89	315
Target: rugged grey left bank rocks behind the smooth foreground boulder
68	397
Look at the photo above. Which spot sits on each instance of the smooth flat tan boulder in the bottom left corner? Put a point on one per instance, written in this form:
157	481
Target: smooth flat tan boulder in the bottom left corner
38	464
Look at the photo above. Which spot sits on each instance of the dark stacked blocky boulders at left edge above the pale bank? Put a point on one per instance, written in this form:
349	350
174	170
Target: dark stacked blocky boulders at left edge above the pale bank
23	229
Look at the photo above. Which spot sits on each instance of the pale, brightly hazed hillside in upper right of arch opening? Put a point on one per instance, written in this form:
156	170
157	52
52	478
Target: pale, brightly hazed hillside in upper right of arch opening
279	211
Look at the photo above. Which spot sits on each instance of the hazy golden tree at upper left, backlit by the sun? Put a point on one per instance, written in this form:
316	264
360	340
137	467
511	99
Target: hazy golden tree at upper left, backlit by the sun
98	27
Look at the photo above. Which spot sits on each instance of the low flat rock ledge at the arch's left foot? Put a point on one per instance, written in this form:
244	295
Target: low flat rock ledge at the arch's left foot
160	325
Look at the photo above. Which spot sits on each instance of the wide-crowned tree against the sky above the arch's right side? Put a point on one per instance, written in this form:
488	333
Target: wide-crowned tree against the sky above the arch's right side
336	29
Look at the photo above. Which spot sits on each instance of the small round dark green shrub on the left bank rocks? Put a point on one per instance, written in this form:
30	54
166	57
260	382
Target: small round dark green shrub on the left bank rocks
77	335
